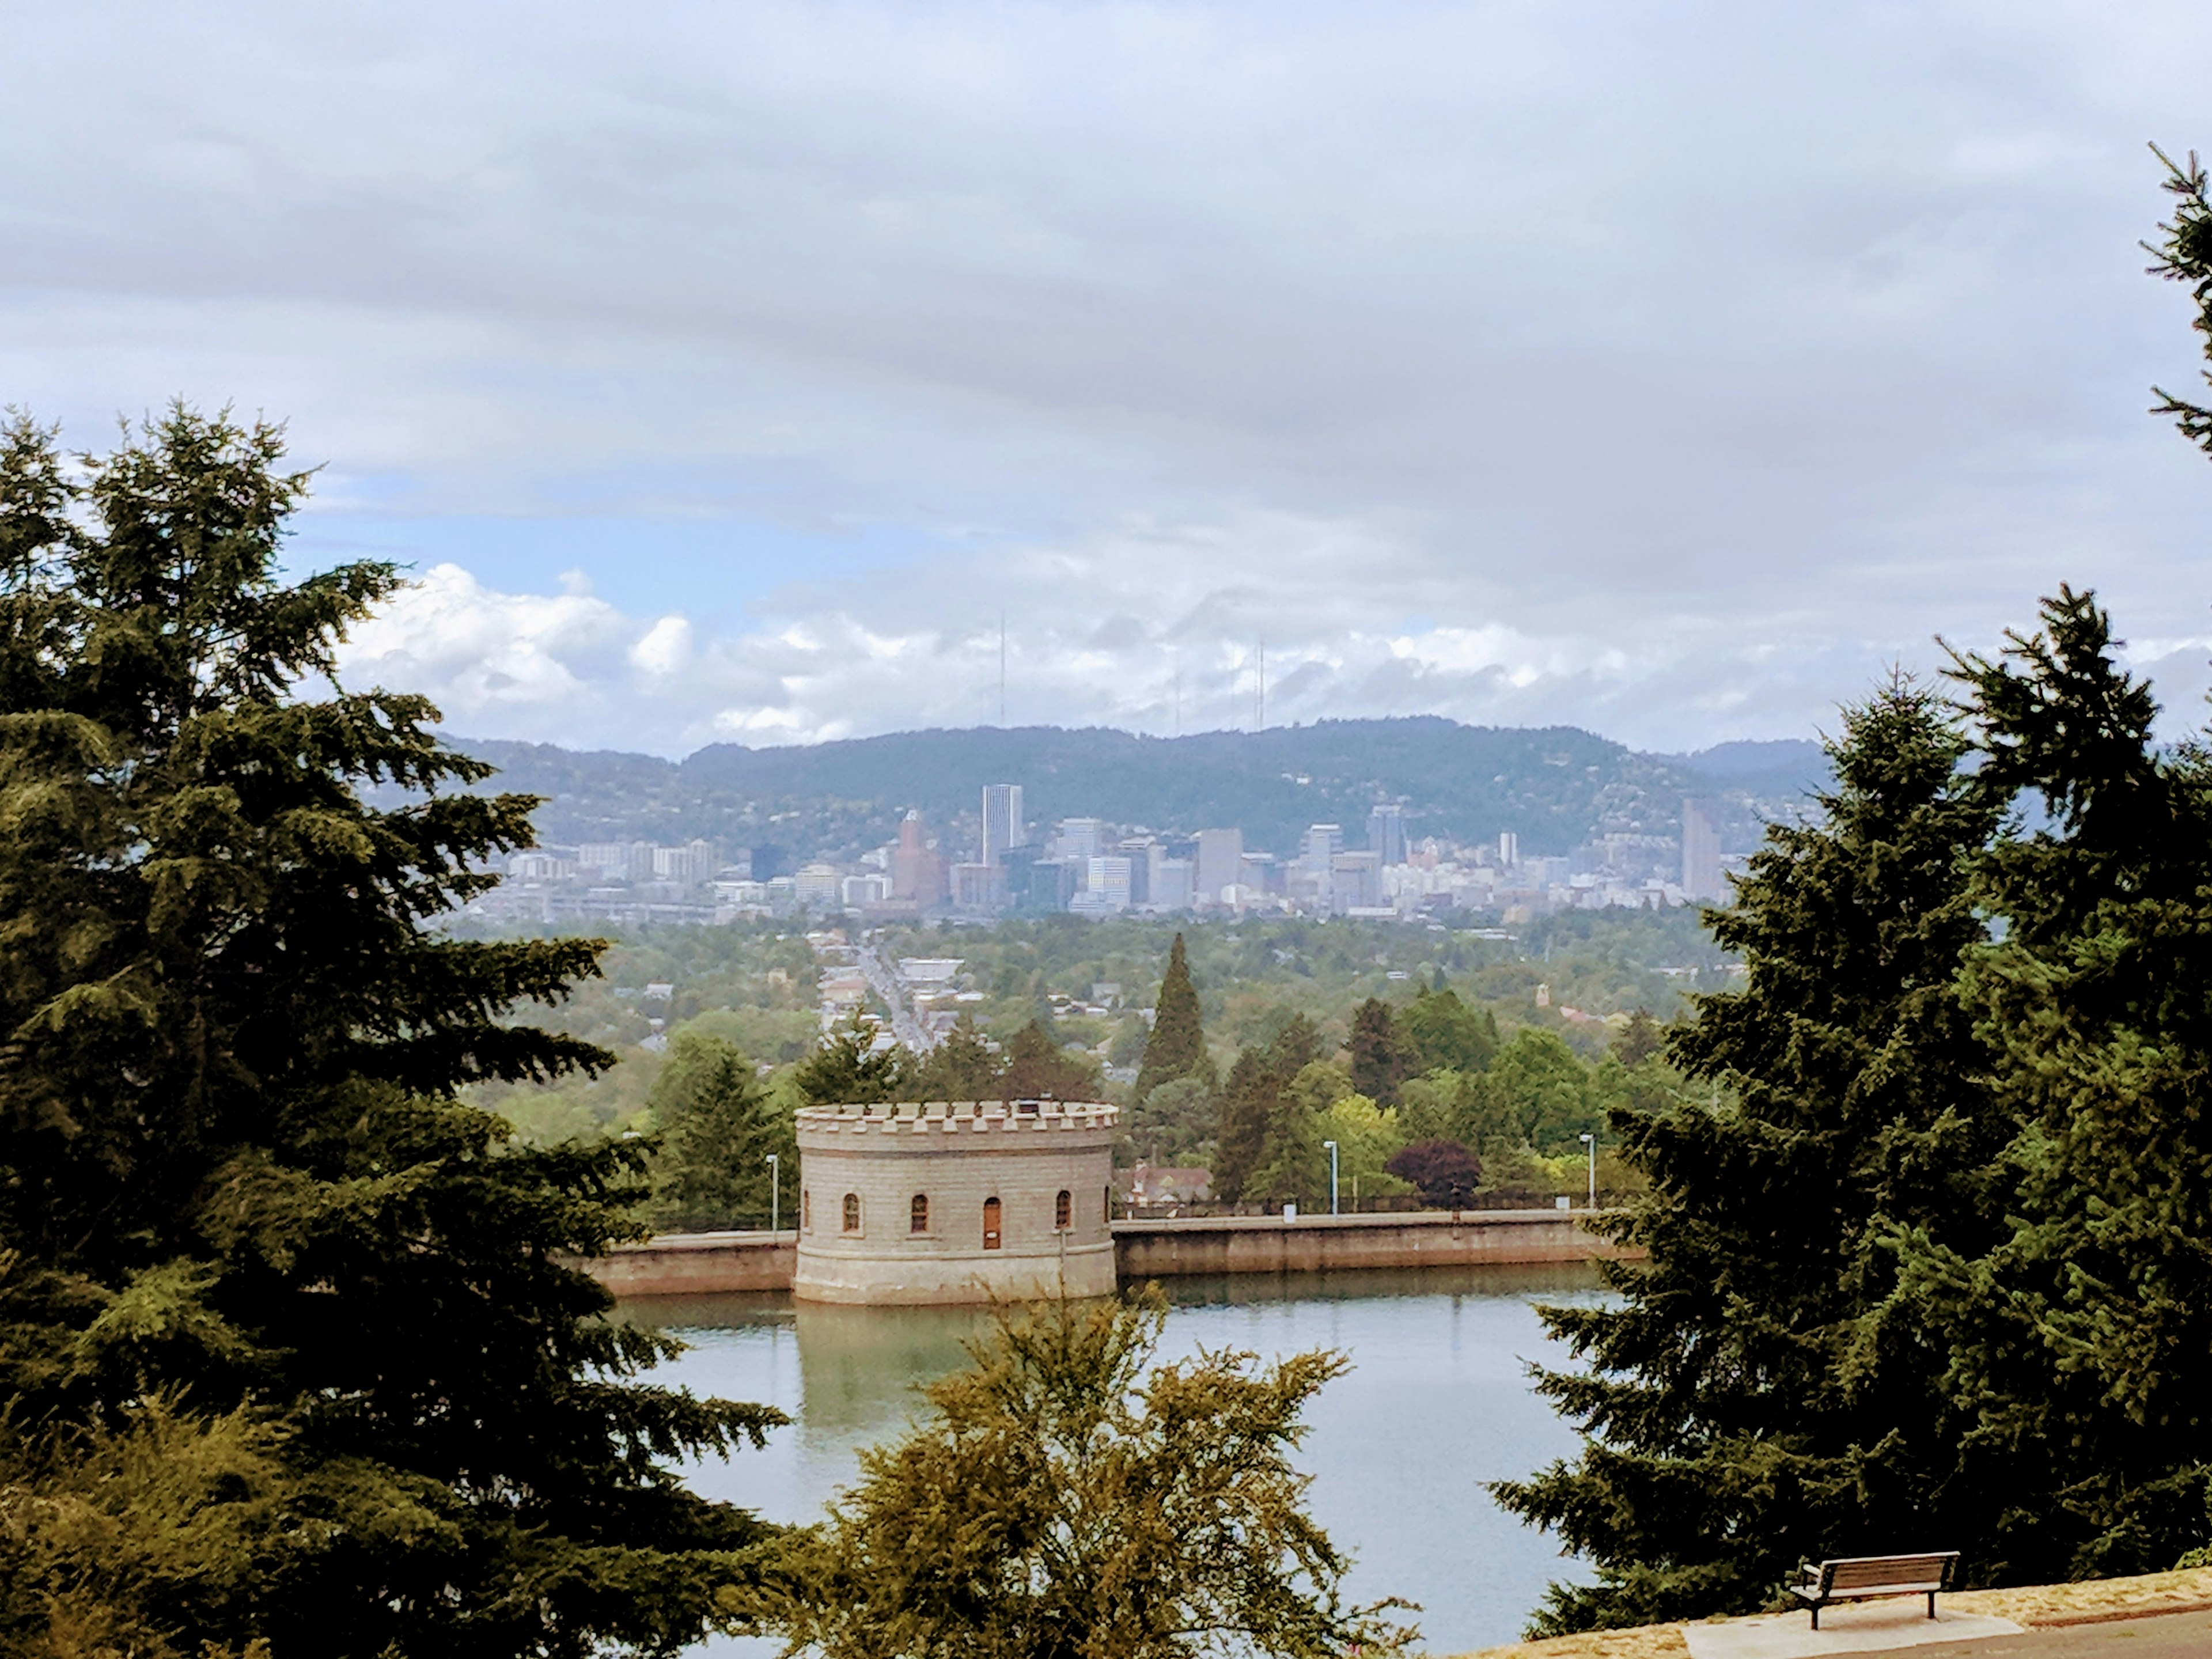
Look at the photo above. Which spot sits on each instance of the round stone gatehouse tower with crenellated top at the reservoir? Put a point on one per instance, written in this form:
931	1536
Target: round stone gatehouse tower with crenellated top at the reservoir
954	1202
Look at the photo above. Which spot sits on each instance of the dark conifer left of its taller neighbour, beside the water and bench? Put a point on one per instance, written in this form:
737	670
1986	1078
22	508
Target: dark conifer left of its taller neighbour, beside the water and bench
1751	1401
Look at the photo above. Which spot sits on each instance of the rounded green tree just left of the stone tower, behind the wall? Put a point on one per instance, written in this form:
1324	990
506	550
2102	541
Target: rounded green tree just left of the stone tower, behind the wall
720	1127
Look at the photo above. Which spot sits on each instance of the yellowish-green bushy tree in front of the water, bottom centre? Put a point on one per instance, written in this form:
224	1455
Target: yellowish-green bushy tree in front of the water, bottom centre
1067	1499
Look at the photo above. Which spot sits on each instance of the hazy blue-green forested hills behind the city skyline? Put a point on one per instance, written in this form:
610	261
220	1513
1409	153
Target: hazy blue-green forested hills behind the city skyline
1552	786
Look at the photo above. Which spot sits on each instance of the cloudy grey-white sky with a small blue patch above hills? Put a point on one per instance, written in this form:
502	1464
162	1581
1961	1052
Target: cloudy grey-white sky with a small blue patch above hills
733	371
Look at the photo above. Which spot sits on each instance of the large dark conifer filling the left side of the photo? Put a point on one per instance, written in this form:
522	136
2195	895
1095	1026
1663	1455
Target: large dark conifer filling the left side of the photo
242	1211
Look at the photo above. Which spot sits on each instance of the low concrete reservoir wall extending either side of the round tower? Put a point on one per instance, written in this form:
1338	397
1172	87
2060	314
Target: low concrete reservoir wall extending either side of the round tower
722	1262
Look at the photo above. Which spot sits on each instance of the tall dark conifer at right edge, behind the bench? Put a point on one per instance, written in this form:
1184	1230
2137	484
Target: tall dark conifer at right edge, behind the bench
2087	1335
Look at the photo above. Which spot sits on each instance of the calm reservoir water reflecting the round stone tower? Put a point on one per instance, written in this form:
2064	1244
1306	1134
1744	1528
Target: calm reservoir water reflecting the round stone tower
1437	1404
